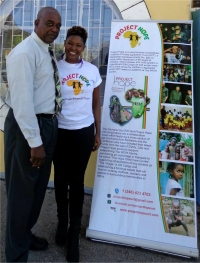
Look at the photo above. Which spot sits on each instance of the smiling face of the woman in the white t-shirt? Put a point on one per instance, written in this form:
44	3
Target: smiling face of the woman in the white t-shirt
74	46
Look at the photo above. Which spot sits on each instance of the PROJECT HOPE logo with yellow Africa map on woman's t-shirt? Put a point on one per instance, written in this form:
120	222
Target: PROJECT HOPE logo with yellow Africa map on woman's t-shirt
76	81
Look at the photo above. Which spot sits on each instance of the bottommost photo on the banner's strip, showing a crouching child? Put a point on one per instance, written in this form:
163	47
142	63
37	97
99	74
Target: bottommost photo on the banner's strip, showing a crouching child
179	216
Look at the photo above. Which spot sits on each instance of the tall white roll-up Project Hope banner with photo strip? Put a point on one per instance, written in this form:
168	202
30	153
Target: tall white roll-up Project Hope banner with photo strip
144	190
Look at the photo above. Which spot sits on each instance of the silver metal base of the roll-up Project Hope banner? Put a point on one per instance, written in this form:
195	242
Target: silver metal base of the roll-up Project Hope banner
142	243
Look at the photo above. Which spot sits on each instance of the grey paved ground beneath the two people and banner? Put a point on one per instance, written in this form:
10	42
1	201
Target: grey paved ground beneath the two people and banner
90	251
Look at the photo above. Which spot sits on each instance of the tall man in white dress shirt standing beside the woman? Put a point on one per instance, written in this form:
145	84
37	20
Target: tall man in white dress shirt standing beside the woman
30	134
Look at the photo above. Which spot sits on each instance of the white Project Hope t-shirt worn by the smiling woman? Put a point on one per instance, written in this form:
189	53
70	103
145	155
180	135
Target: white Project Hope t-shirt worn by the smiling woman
78	82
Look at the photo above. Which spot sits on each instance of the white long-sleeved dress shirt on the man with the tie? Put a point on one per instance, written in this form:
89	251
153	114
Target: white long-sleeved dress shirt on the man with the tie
31	85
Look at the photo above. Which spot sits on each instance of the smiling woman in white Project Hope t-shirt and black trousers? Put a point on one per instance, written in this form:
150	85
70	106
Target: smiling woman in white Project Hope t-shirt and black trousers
78	135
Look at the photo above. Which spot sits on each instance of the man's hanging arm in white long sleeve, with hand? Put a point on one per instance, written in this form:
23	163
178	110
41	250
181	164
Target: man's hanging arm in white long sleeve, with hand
21	71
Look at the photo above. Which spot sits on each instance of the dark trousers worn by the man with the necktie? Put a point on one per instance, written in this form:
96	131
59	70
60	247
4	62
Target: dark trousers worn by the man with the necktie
25	185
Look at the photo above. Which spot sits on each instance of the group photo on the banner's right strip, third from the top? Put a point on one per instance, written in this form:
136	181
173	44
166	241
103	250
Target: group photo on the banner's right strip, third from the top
177	73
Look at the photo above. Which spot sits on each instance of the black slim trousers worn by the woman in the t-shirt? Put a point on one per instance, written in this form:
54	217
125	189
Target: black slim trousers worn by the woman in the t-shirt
70	160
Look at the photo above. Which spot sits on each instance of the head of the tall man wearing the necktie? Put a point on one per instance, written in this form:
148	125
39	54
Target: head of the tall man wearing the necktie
48	26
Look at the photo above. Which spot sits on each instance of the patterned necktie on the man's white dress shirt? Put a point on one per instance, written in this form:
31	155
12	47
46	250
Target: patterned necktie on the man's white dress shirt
58	100
